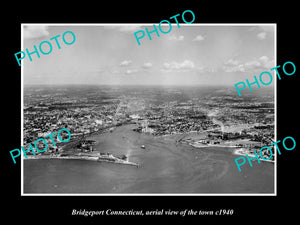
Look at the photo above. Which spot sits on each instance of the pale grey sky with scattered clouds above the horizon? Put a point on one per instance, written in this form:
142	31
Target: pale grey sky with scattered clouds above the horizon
190	55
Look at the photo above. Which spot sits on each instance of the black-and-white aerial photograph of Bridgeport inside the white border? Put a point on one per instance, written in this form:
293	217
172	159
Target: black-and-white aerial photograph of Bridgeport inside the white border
159	118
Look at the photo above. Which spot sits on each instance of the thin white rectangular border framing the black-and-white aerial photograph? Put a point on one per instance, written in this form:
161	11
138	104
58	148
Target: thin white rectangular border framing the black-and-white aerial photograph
156	194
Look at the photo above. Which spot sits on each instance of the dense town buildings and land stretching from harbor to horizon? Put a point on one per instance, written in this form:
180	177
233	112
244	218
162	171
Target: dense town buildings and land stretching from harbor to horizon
219	115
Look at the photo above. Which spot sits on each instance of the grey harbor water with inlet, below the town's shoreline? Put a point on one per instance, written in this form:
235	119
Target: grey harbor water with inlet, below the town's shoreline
166	167
